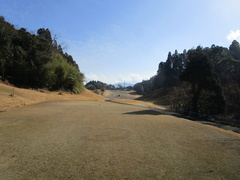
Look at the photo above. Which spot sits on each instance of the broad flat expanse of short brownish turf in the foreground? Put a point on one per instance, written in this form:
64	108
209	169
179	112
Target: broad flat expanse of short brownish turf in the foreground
104	140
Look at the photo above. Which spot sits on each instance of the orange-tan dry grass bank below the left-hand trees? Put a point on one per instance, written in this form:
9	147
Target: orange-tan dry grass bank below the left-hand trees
12	97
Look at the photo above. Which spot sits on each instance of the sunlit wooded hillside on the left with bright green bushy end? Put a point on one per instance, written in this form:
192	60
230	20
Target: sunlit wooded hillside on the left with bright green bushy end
36	60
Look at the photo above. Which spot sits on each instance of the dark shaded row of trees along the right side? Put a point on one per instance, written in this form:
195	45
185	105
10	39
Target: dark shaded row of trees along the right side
200	80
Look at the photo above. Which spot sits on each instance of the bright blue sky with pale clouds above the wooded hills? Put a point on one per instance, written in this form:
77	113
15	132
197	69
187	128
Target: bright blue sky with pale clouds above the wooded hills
125	40
